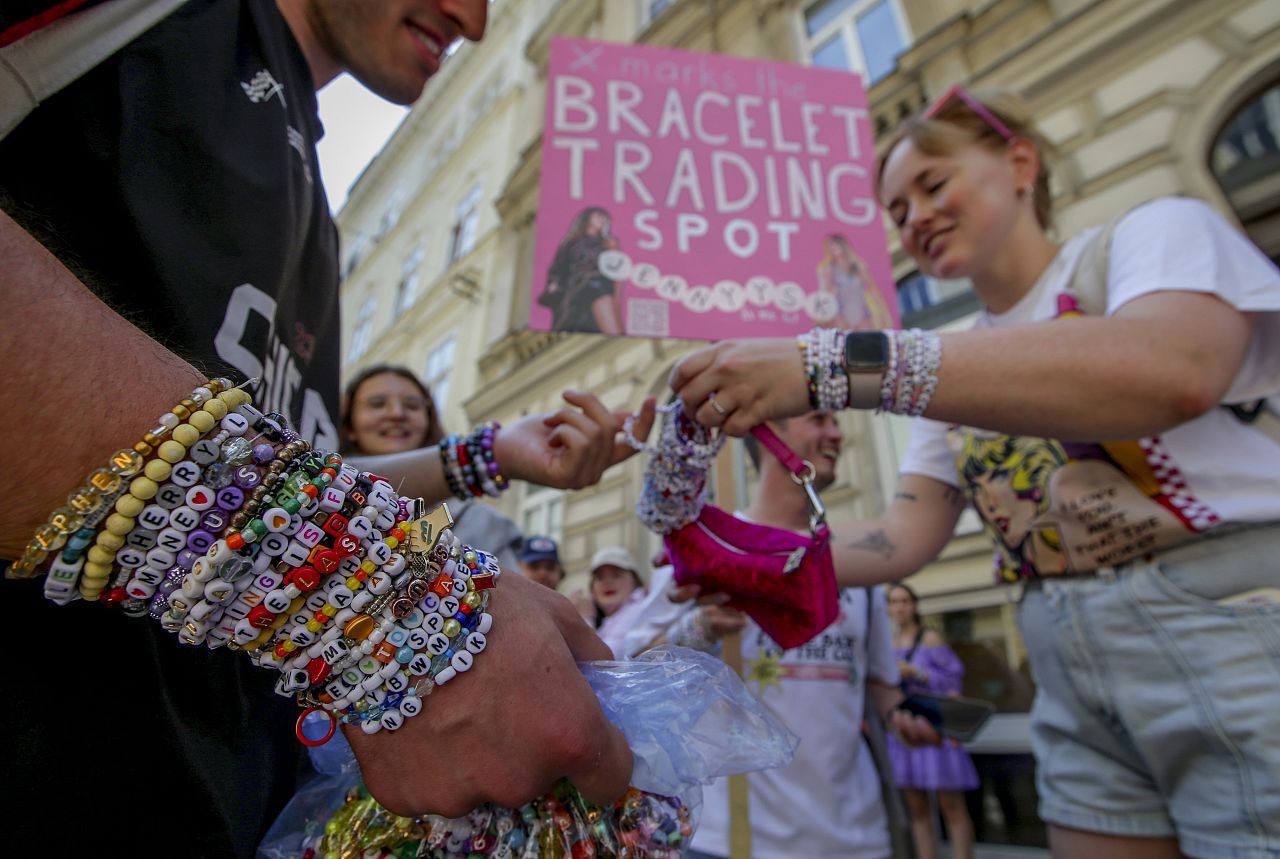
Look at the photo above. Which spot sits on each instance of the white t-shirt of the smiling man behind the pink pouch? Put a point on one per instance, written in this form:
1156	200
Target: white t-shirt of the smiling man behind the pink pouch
828	801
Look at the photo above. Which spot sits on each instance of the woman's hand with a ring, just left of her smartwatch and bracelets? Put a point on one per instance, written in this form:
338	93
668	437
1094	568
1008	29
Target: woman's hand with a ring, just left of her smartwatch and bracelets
753	381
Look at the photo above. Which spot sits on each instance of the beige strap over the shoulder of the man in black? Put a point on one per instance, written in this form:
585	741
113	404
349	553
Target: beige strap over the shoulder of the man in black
39	66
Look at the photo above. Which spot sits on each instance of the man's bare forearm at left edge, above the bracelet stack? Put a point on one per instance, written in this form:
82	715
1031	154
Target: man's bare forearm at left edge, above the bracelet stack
79	383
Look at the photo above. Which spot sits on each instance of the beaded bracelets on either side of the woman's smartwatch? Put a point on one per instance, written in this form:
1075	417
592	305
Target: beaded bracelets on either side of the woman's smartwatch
907	387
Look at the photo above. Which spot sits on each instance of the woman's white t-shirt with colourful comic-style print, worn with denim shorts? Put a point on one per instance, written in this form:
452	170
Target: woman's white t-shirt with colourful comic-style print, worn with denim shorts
1199	476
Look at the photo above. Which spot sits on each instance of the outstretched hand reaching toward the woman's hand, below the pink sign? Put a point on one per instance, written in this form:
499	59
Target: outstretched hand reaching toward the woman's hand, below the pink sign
569	449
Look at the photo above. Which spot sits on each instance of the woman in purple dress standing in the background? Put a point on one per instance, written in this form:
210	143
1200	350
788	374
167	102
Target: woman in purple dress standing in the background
927	665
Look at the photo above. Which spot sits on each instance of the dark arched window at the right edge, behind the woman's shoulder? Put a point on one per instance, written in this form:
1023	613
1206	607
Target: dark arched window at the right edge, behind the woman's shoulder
1246	162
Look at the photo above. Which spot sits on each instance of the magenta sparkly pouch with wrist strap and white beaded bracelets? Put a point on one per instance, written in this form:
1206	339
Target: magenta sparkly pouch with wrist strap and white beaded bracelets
785	582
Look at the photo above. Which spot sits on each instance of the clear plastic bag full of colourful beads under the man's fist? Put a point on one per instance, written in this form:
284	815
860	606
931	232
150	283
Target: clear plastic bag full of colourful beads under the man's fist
687	718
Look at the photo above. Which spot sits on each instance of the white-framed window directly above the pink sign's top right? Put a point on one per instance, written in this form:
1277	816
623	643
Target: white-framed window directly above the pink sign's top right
863	36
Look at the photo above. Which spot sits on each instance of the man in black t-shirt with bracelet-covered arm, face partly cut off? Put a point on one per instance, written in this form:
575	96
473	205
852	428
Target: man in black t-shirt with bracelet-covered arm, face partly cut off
180	222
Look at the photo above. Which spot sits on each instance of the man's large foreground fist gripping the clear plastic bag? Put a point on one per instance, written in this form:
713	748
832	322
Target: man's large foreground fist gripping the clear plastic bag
509	729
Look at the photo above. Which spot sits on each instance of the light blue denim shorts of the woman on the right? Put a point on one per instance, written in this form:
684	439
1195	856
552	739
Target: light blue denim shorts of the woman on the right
1158	710
